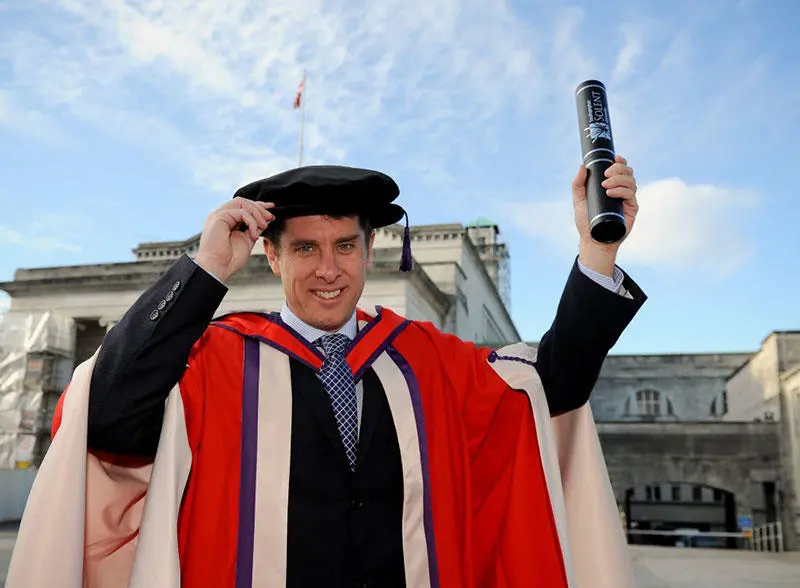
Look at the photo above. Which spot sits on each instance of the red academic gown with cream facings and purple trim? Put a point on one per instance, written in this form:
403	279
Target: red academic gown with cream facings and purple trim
488	483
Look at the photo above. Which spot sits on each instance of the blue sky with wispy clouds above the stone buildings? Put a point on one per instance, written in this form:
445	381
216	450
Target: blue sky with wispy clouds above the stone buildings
124	121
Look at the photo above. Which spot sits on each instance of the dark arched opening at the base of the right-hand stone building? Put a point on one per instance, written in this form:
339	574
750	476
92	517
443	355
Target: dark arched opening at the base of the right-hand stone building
671	506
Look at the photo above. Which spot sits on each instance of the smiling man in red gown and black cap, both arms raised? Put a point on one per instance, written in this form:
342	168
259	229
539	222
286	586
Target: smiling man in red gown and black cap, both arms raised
328	445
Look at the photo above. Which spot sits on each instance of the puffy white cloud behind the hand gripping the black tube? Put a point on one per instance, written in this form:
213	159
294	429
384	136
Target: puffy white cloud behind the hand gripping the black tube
680	227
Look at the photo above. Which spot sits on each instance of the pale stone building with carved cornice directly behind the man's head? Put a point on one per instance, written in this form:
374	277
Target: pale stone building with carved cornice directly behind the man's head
459	283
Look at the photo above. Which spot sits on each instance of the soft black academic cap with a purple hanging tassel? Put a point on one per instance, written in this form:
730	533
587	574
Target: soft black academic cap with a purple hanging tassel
333	190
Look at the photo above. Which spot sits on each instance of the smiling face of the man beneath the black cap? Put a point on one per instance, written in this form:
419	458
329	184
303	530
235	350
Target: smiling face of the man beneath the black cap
322	263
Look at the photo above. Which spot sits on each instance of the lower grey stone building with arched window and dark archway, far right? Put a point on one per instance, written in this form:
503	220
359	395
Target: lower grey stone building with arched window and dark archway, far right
705	441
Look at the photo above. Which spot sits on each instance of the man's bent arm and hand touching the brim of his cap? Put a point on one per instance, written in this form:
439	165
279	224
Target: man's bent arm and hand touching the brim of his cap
145	354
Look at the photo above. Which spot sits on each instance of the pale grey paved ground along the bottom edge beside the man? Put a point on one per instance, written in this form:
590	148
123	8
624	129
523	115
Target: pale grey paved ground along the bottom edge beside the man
657	567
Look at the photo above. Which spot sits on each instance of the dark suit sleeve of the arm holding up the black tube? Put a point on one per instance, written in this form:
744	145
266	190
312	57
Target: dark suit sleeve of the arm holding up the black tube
588	322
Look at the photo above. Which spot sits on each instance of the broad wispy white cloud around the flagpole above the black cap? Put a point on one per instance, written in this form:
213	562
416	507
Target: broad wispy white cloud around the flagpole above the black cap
378	72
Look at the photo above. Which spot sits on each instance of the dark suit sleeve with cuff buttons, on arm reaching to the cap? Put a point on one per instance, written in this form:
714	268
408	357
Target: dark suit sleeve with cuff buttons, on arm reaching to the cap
145	355
